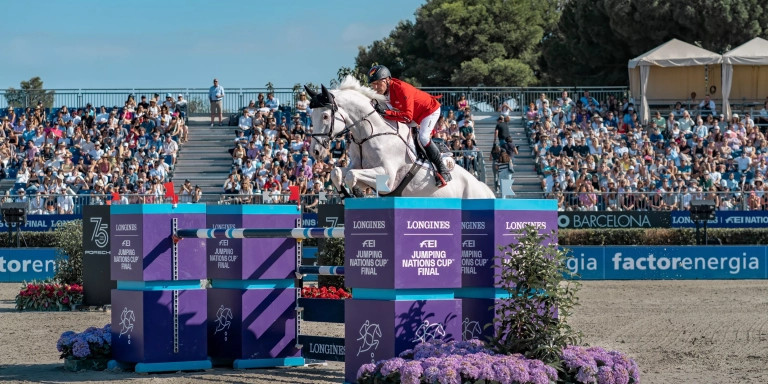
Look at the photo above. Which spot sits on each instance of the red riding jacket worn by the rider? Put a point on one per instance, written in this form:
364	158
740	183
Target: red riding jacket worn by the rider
409	102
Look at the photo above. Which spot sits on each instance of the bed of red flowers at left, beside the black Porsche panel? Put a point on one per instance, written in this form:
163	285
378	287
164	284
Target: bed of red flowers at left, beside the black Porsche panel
49	296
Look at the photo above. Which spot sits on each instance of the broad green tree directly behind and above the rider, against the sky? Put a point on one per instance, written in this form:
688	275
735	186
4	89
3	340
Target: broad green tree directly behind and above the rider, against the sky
466	43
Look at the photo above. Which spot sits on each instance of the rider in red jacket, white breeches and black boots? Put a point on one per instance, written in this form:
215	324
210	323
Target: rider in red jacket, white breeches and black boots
414	107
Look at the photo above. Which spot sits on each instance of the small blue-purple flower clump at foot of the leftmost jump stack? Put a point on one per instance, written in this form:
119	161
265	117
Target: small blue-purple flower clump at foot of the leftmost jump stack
90	349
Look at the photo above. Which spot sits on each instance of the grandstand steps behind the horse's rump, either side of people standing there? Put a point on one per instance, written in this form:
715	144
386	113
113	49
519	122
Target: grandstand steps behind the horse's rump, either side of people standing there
527	182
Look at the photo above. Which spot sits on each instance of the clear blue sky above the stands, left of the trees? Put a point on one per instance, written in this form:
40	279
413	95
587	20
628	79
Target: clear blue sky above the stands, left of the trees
175	43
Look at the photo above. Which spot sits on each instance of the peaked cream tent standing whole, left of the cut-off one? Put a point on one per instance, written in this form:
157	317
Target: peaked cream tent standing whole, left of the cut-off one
670	70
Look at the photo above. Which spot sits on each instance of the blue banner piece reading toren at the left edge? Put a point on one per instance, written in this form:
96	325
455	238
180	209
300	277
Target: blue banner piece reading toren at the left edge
27	264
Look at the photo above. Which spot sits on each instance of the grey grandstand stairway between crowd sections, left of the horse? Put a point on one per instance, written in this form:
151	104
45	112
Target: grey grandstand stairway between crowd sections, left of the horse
204	159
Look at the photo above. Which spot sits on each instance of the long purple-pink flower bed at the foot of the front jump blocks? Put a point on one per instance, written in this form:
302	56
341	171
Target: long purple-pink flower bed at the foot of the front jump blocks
471	362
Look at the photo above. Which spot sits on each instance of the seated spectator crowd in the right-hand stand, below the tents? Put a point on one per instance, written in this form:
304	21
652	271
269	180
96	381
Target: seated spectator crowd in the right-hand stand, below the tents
597	155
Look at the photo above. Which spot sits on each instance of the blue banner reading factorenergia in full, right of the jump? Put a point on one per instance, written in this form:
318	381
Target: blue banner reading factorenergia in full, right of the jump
668	263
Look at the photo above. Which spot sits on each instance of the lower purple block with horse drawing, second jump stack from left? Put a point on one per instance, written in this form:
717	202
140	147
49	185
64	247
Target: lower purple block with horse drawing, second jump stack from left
252	323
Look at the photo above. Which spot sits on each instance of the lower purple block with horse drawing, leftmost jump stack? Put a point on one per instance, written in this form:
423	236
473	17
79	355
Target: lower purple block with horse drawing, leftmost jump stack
143	326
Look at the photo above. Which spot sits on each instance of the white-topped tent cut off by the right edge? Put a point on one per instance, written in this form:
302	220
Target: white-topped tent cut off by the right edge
745	72
